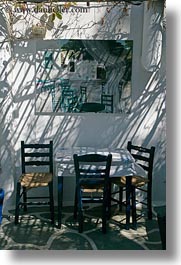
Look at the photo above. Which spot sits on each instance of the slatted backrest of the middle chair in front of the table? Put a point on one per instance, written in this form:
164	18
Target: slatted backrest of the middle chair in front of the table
92	168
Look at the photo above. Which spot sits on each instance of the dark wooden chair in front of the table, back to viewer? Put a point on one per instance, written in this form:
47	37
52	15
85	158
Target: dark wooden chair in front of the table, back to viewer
92	183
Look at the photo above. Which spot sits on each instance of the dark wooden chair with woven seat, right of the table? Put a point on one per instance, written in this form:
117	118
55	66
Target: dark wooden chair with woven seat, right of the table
143	157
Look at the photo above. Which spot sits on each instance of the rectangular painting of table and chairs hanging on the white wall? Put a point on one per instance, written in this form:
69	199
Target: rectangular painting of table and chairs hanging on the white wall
78	76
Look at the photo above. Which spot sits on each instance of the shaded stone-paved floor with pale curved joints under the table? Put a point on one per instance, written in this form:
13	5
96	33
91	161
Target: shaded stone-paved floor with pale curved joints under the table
36	233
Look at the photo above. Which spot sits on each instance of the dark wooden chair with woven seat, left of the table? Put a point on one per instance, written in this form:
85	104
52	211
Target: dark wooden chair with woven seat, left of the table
37	172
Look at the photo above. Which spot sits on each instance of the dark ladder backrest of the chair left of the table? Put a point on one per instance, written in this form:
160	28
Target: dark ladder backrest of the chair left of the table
35	155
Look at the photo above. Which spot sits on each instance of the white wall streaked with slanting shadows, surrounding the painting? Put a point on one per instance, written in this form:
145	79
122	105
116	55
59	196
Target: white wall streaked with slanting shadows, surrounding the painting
146	124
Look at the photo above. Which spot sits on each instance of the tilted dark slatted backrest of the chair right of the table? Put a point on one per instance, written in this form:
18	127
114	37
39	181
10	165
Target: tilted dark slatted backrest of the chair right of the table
143	156
